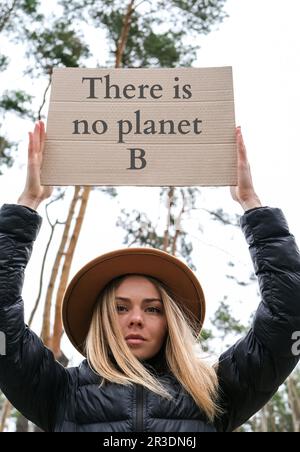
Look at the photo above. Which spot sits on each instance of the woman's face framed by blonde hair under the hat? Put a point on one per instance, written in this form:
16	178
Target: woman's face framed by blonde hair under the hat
141	313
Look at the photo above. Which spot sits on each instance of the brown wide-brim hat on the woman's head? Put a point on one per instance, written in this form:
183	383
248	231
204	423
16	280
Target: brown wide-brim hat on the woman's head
84	289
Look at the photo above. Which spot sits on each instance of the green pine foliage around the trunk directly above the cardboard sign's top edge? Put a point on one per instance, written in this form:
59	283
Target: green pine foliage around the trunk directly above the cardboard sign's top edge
147	45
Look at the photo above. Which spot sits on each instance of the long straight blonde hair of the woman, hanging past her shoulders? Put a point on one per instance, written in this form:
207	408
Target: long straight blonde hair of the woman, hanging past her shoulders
196	376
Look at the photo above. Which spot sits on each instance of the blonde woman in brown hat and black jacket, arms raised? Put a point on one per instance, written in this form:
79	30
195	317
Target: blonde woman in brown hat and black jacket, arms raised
135	314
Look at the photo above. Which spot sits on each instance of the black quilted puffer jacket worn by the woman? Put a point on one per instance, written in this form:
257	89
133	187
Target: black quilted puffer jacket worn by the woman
59	399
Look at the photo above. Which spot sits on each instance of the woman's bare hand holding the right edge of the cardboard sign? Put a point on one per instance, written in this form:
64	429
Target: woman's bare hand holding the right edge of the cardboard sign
244	192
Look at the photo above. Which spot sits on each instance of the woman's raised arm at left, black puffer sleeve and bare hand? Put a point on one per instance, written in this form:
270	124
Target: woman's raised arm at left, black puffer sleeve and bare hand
29	375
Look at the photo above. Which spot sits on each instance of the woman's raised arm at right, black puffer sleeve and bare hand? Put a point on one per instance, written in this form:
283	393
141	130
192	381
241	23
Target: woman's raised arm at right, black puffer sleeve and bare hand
251	371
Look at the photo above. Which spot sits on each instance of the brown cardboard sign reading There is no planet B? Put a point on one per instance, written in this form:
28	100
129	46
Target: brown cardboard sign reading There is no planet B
141	127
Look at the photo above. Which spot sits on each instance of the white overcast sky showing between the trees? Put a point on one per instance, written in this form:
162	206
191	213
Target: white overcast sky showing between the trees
261	41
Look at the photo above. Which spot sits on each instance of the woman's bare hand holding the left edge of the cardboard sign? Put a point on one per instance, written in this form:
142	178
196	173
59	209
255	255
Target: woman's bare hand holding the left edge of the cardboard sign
34	193
